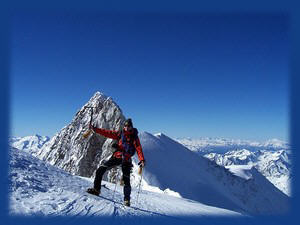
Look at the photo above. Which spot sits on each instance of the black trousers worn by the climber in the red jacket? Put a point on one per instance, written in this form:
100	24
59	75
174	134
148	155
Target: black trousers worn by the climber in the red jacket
112	162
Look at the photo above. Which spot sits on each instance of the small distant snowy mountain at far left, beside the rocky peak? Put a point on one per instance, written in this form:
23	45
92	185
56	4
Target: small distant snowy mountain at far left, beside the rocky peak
29	143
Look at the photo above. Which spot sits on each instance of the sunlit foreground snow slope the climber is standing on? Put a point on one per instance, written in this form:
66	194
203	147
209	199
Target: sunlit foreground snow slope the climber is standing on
38	188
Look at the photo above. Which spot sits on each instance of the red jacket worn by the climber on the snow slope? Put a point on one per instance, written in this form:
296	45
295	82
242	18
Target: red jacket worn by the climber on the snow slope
116	135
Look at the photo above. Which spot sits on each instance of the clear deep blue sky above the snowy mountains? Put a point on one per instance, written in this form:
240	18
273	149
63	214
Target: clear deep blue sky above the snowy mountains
186	75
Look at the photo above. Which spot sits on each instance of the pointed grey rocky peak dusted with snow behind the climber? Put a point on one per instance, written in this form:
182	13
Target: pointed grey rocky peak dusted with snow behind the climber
81	156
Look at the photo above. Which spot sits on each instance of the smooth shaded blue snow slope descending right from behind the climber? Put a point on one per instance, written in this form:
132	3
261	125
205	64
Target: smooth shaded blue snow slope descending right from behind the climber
171	165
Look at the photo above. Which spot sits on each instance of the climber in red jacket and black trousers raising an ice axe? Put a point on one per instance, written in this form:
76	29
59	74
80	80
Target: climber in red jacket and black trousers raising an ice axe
128	144
